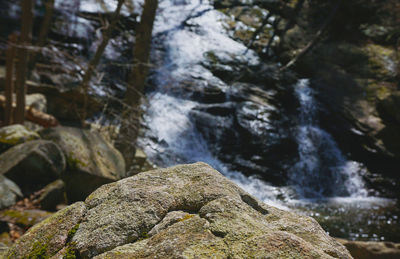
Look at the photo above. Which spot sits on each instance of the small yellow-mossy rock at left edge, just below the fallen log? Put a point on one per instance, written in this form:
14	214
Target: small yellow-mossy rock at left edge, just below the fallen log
15	134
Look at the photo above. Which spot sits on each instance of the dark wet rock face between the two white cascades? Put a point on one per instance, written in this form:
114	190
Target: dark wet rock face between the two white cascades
247	123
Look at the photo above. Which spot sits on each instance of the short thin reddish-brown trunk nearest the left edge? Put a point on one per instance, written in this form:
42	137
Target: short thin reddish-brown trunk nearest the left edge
9	86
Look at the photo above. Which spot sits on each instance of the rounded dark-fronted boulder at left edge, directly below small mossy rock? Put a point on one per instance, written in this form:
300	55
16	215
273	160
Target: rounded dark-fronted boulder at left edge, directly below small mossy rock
33	164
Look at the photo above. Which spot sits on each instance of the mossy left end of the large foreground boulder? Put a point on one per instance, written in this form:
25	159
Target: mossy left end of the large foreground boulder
49	236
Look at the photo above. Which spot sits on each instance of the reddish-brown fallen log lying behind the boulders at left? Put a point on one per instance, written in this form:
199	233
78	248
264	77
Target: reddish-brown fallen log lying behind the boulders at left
34	115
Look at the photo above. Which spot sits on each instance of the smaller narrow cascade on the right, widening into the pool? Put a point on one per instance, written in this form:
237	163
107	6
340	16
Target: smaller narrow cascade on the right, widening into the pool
322	170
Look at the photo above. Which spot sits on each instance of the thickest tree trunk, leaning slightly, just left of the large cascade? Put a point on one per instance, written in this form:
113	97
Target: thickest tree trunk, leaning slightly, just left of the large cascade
130	120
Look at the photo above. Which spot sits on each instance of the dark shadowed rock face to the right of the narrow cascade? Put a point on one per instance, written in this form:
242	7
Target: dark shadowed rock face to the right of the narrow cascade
354	72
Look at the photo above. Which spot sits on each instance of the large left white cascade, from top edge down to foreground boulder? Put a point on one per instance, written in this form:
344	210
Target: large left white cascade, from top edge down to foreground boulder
174	139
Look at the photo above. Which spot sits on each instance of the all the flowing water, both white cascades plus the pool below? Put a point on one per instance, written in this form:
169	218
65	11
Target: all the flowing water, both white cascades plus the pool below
322	183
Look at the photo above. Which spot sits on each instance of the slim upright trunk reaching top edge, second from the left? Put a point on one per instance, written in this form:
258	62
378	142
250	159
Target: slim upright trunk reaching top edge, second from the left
22	53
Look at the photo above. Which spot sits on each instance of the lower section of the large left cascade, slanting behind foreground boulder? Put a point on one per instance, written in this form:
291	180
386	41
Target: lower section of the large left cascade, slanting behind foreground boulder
179	142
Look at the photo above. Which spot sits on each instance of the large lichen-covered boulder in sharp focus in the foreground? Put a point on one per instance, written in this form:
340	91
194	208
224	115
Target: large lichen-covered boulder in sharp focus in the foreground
186	211
